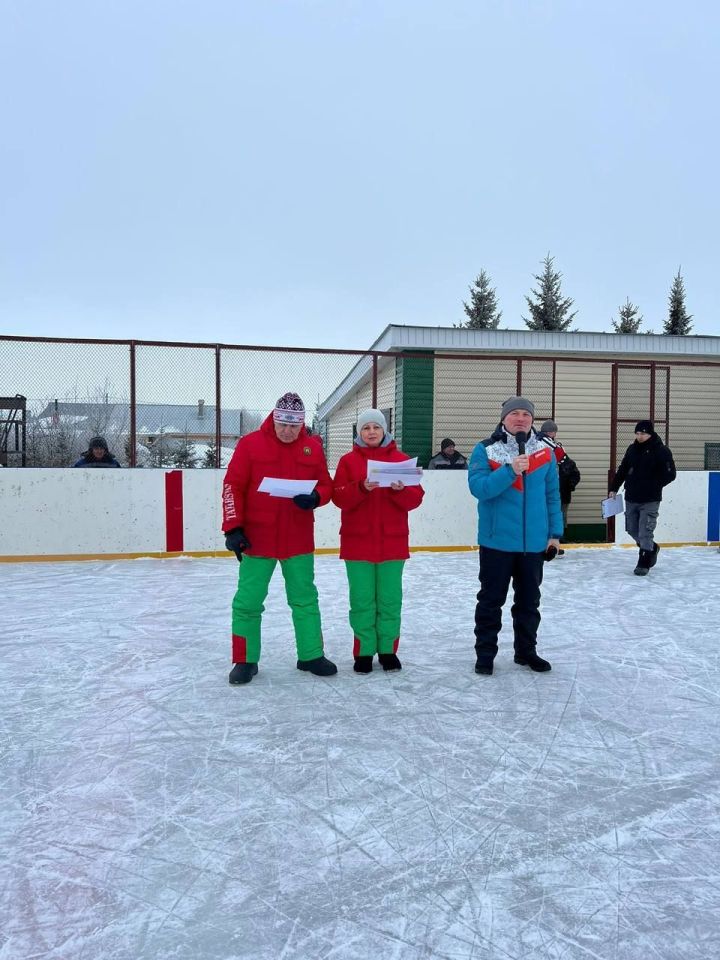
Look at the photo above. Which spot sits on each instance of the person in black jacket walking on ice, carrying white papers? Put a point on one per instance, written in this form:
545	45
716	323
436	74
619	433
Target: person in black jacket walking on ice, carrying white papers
646	468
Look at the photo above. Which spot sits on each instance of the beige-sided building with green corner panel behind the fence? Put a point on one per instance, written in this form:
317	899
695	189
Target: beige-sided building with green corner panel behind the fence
435	382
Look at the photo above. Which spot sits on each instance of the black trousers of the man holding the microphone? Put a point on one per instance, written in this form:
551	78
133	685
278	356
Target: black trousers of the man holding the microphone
497	568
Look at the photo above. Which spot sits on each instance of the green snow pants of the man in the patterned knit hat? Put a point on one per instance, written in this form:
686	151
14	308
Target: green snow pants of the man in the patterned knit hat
249	604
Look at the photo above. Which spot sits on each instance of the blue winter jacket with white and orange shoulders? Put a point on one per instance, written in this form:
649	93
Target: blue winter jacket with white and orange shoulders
515	514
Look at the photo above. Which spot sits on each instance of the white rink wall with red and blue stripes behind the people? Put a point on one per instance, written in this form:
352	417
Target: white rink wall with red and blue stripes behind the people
58	513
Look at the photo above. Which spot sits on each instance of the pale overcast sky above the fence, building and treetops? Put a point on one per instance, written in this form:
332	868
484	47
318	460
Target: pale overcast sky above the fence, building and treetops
306	172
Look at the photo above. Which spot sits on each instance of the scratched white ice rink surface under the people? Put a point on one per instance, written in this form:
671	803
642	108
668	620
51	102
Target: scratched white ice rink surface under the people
151	811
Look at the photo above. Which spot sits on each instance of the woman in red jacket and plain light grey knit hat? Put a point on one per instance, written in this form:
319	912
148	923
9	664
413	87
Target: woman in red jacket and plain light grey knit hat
374	542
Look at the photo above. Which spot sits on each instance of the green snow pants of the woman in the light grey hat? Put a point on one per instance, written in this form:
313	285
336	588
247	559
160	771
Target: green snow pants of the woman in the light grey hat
375	605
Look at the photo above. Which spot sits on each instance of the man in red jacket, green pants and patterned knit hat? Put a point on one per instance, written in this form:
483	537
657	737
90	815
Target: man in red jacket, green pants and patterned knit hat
265	530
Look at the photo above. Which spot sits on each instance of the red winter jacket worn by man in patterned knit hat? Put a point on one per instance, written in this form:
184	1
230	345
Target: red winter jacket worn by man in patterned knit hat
275	526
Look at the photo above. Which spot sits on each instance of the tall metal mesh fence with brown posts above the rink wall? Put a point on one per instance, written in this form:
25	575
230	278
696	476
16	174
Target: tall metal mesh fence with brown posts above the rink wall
162	404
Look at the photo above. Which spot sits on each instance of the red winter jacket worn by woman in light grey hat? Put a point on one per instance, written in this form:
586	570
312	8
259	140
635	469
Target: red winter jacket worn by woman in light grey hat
374	525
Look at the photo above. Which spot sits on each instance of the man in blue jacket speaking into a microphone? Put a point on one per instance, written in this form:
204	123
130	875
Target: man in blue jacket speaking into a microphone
514	476
